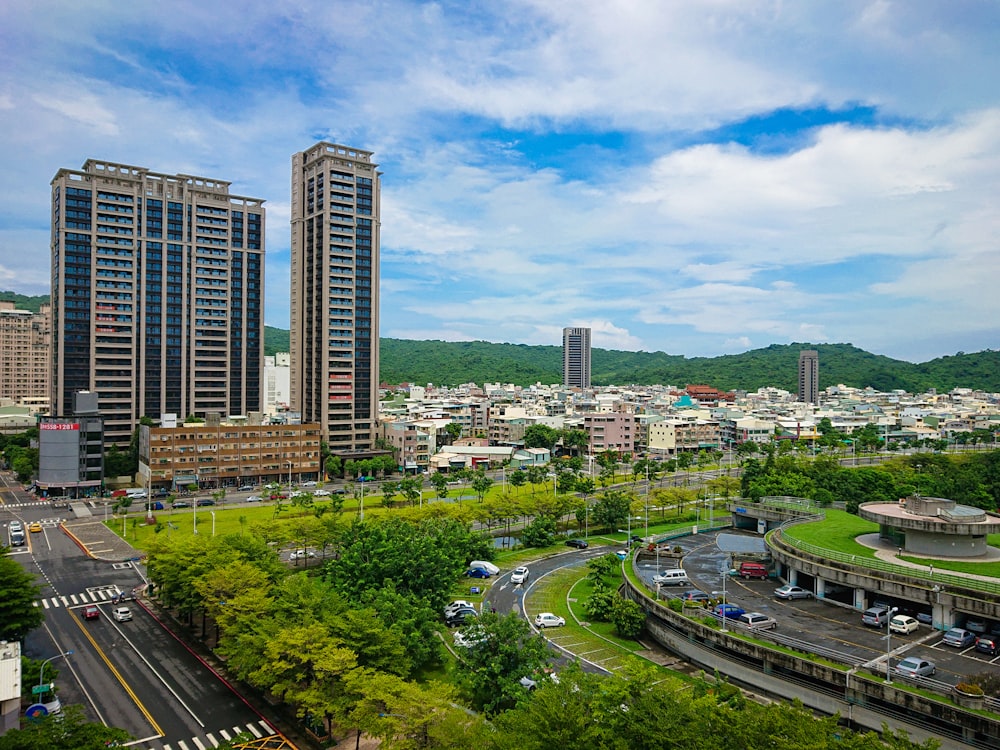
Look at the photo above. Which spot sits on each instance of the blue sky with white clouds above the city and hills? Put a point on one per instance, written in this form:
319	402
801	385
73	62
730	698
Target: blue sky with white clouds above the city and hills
694	177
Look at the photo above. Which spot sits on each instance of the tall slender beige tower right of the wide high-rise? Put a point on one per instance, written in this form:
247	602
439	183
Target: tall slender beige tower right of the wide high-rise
334	296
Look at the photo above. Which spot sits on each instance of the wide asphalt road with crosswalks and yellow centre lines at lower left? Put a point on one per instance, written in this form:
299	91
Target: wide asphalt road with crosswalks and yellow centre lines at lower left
134	675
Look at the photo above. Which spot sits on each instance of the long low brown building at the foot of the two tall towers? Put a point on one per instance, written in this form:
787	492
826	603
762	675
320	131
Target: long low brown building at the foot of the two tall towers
208	456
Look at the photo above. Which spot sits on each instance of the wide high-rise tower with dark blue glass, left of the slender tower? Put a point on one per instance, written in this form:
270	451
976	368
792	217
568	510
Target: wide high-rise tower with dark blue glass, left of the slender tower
157	295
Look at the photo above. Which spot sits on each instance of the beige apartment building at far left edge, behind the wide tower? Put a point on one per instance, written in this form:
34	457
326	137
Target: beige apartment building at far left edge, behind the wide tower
25	361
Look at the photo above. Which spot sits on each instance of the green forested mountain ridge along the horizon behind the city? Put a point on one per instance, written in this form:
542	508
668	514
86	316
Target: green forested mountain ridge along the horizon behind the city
454	362
